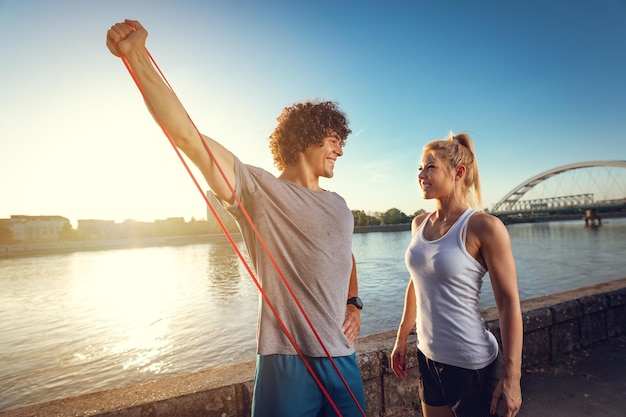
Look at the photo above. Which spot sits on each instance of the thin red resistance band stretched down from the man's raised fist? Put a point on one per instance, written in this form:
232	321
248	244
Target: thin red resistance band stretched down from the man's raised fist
238	252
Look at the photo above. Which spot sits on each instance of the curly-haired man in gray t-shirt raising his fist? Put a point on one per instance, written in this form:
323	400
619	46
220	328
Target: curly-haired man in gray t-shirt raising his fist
307	230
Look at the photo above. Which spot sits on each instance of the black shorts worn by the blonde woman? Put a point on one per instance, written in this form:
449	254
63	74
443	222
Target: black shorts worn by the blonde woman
467	392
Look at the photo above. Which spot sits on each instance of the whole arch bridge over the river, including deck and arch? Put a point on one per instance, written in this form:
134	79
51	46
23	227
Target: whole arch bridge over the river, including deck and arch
512	204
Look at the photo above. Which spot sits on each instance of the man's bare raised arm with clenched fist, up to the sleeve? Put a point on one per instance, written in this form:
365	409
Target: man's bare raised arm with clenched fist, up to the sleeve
128	40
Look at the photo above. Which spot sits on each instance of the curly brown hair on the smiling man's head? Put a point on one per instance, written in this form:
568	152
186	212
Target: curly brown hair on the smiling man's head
303	125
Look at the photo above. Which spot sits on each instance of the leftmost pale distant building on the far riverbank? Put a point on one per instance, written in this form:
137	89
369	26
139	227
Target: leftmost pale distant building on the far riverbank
38	228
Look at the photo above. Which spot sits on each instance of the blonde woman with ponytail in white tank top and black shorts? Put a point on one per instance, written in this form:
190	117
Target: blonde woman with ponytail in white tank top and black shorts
463	373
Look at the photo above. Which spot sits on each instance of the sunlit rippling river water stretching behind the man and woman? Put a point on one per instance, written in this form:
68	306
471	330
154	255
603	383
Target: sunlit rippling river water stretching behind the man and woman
87	321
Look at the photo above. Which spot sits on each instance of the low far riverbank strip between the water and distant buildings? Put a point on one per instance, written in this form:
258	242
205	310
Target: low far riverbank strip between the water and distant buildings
34	249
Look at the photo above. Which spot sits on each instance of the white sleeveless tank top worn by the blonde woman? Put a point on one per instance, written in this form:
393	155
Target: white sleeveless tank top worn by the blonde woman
447	282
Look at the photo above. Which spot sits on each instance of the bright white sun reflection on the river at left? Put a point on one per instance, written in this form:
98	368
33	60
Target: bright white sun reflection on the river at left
131	297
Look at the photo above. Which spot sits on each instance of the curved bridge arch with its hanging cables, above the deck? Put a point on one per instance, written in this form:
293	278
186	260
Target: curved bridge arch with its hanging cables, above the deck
614	176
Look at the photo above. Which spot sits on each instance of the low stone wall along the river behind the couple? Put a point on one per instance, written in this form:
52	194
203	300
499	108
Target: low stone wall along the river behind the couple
554	325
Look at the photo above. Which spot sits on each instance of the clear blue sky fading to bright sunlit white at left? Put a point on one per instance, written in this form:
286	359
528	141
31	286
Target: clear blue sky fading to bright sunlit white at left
537	84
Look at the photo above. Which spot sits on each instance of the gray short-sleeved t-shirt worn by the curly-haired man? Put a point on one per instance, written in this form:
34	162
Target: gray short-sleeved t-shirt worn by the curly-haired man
309	235
